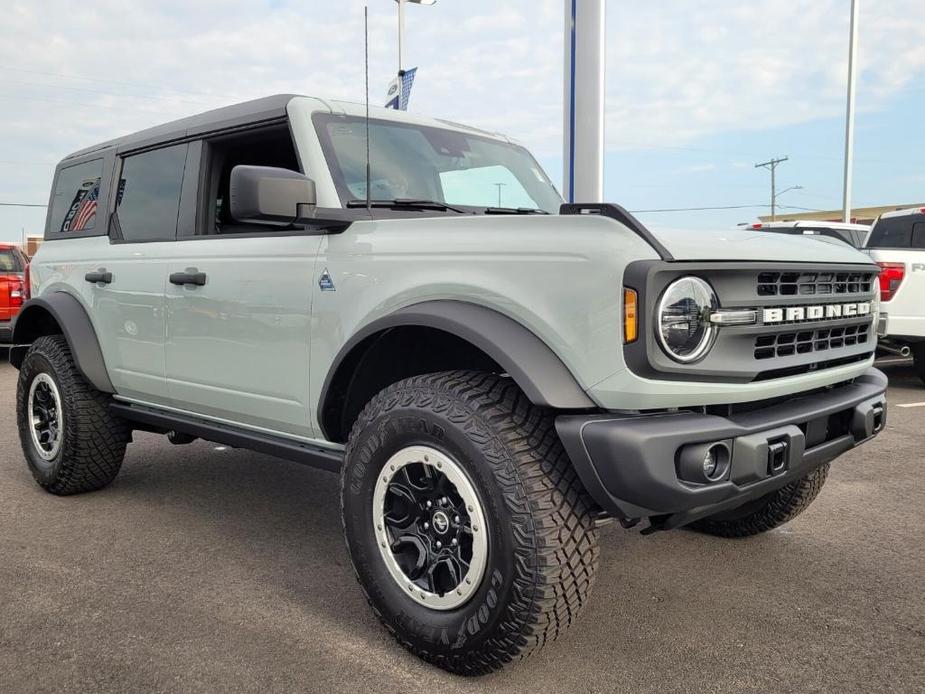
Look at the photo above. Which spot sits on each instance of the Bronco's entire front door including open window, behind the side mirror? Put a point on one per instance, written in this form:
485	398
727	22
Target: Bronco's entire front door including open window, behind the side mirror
238	338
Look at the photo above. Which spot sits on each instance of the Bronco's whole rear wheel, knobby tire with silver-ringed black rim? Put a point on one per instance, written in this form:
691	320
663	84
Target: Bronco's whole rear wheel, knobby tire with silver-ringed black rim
71	441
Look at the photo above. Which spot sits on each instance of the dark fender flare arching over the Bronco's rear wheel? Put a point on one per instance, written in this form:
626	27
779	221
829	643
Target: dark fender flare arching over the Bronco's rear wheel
71	316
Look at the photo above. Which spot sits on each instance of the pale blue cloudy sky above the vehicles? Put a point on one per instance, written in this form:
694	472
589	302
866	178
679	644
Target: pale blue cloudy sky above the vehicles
697	92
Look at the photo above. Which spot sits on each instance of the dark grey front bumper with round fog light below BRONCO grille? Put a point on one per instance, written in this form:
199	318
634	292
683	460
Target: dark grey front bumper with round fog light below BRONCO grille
634	465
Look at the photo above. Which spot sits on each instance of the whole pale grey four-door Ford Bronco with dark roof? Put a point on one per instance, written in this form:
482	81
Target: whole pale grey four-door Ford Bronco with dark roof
493	373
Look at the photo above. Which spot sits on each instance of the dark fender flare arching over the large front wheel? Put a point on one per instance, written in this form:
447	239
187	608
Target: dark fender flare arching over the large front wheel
535	368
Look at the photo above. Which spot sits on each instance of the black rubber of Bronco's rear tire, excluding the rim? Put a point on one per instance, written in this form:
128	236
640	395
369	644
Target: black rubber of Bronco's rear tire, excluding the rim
94	439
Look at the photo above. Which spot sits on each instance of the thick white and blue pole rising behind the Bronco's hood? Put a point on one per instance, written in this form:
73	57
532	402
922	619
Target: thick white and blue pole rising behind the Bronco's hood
583	148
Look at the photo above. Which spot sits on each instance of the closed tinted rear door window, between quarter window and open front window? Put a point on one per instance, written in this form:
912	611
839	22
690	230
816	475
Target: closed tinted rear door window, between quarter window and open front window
149	194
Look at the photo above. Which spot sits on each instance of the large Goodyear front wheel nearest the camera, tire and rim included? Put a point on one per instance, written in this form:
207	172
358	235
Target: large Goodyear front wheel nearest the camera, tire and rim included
491	466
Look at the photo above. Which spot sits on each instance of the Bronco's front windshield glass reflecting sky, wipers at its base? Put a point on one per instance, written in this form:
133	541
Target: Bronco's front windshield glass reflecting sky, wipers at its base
424	163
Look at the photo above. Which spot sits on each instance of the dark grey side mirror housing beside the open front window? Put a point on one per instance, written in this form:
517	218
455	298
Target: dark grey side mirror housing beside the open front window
269	195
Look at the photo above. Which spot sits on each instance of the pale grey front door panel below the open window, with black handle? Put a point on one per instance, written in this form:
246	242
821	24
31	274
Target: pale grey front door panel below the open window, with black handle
238	325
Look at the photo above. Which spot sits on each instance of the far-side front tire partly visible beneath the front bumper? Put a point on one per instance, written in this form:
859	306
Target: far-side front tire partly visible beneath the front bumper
768	512
